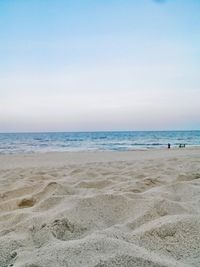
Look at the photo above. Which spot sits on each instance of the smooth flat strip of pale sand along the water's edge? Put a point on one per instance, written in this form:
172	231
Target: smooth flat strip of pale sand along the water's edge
84	157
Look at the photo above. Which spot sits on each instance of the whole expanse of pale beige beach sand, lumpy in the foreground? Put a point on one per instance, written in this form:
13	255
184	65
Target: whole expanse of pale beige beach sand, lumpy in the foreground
92	209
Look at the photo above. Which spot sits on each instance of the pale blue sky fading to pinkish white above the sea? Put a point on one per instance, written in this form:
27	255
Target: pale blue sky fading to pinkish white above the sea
95	65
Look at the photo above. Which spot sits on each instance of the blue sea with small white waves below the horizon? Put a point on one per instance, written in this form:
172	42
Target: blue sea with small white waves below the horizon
11	143
